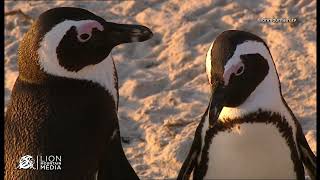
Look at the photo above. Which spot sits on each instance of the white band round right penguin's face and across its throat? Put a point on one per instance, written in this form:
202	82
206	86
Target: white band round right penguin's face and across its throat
266	96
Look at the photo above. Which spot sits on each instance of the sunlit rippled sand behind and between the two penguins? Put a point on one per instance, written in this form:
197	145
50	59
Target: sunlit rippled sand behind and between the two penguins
162	82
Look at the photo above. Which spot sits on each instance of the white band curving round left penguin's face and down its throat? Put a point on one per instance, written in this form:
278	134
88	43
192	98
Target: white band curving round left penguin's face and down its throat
102	73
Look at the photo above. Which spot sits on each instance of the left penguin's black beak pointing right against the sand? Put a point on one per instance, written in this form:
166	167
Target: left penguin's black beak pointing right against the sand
125	33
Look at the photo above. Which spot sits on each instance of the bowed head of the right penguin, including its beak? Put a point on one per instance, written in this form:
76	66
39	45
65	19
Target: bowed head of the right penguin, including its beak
237	63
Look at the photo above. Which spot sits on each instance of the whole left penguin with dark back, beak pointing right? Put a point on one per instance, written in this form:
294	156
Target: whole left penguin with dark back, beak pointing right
64	101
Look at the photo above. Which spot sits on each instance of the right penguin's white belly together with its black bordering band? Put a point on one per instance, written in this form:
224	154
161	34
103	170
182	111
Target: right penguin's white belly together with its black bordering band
260	145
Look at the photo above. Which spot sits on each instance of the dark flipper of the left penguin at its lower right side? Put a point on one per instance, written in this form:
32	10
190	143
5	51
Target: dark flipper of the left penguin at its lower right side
115	164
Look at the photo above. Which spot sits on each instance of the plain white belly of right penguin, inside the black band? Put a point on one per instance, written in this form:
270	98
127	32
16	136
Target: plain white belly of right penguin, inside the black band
256	151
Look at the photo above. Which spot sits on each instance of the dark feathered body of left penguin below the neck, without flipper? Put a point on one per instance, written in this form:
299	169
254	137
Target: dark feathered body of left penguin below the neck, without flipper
62	117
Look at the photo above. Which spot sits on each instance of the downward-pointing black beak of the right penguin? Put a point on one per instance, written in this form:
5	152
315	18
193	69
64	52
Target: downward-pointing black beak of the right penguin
217	102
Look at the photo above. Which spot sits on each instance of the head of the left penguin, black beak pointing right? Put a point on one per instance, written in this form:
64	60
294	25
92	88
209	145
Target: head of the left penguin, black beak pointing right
72	38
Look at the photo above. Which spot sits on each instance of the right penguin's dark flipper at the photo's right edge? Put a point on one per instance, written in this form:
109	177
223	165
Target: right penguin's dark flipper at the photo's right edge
308	158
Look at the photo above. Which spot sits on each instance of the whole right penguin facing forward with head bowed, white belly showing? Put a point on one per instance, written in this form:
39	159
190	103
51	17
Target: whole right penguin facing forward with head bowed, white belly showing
248	131
